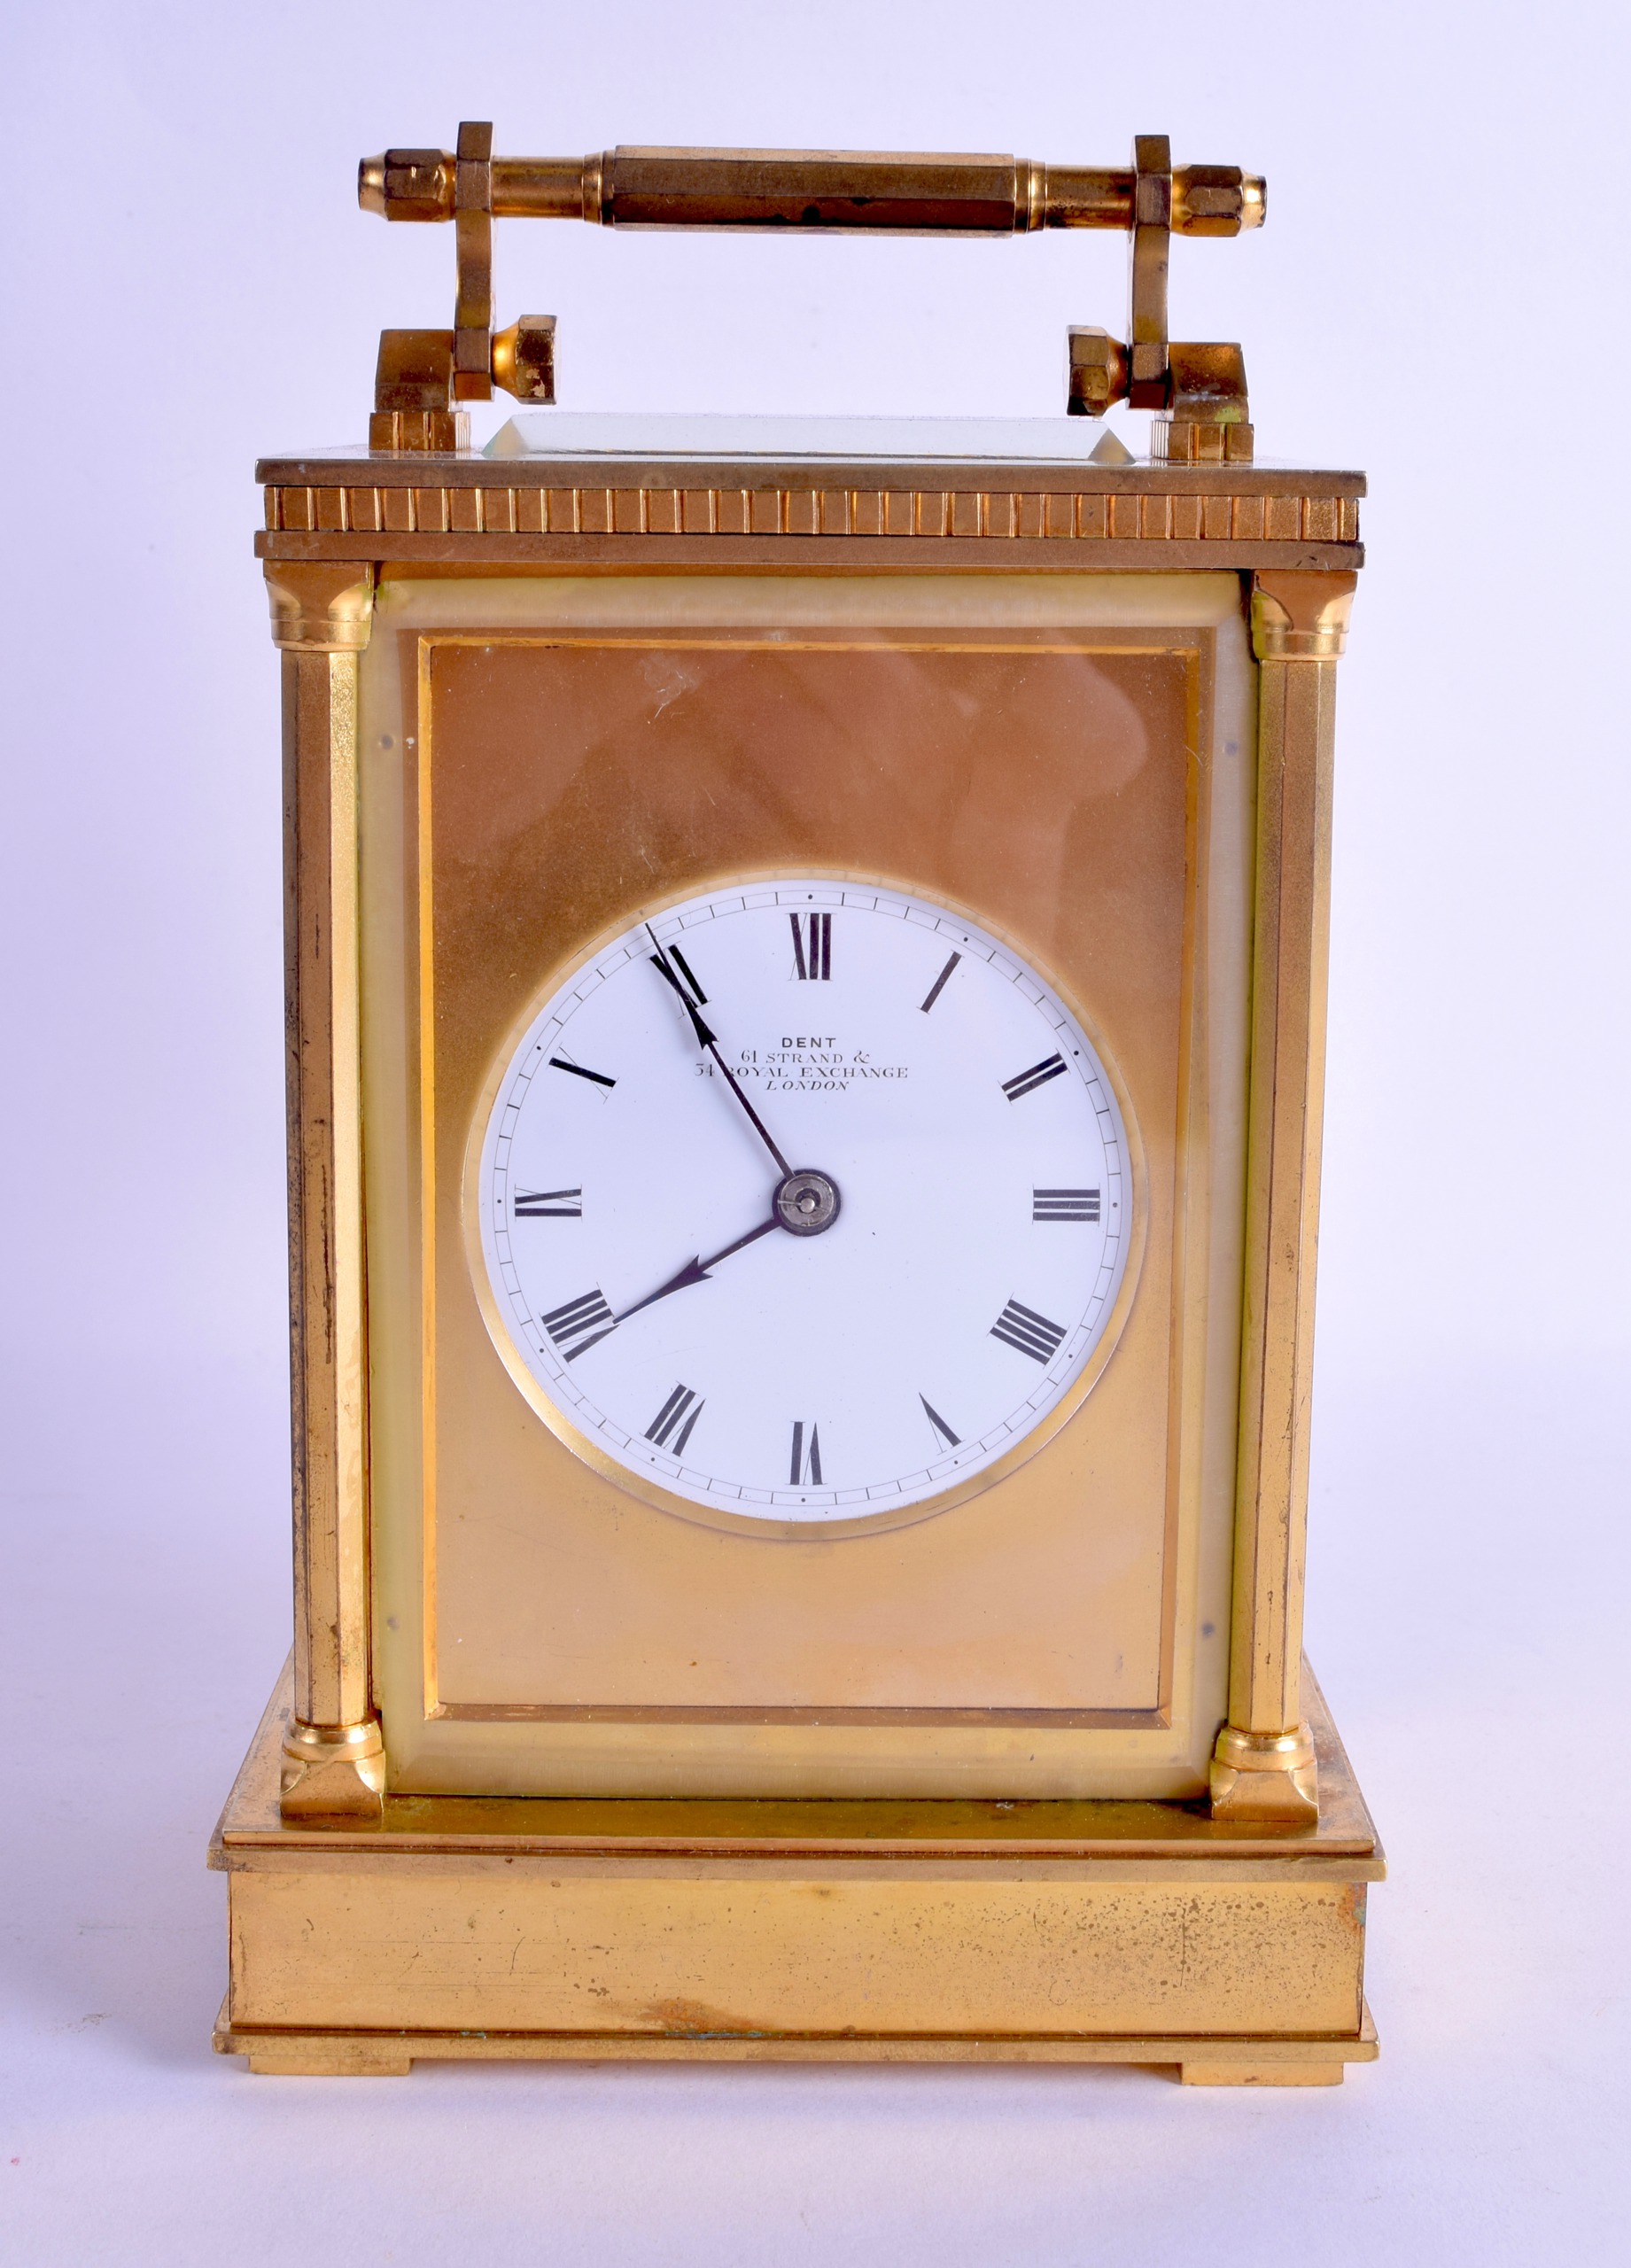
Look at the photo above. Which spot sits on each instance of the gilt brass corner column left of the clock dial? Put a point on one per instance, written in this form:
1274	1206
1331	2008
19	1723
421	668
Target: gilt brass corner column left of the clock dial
335	1761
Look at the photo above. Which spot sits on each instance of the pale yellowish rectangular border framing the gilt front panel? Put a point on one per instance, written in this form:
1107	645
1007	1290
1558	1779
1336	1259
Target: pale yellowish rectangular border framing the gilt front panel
761	1752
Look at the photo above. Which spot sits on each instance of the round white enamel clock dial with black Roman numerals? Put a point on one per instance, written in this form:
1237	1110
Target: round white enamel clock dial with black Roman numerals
804	1203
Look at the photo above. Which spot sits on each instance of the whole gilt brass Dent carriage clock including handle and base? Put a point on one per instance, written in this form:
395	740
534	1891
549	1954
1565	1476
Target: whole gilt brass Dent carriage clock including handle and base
806	985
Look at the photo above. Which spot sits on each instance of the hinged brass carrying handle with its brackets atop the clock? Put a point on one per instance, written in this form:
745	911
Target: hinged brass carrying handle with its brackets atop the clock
423	375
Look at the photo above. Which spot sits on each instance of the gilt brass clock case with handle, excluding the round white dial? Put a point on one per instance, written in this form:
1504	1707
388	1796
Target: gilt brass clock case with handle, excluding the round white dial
1031	1770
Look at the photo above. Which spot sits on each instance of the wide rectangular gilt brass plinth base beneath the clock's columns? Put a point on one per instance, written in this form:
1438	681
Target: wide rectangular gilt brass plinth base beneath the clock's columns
1017	1933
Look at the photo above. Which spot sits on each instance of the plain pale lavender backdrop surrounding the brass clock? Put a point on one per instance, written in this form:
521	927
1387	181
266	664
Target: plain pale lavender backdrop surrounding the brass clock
1439	298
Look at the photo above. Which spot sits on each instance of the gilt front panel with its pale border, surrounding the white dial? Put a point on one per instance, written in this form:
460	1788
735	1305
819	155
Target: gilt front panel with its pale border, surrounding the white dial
580	1636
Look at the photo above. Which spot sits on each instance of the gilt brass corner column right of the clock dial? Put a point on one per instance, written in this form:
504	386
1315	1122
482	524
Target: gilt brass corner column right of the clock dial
1265	1759
